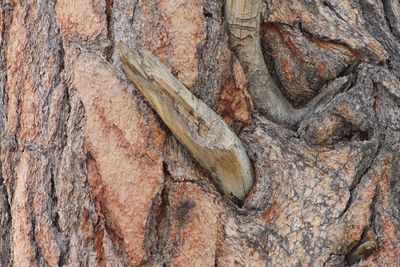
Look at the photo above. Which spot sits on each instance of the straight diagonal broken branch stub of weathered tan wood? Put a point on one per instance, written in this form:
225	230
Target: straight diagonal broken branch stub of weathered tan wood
193	123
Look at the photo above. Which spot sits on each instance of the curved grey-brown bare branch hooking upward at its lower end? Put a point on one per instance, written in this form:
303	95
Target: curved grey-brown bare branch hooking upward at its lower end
243	18
